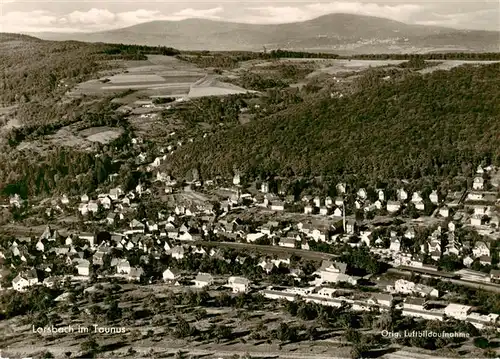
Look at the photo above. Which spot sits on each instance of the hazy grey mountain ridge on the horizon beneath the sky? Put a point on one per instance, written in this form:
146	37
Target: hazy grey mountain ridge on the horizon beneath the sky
334	32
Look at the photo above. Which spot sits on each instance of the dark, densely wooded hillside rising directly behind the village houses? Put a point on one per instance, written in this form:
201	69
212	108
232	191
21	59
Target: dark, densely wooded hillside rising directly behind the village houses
430	125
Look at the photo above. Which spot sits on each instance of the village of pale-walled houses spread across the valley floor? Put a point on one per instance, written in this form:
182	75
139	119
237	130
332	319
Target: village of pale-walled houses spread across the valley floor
281	247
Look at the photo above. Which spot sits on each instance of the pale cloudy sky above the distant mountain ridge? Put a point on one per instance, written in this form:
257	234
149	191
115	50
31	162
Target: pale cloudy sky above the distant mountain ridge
98	15
